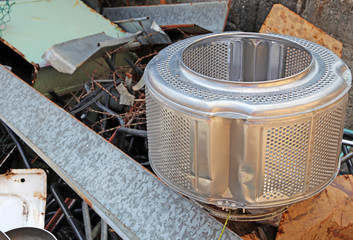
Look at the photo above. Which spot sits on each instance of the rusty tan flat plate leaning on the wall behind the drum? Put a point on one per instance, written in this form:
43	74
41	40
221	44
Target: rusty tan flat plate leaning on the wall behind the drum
284	21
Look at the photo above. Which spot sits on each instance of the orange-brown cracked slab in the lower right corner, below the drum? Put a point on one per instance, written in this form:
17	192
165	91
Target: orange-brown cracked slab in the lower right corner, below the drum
327	215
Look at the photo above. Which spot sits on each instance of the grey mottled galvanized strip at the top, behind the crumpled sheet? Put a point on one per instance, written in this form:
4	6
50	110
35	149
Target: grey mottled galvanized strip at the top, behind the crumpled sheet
208	15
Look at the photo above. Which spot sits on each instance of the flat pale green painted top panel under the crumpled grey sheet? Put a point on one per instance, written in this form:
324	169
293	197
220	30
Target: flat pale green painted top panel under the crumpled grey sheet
38	24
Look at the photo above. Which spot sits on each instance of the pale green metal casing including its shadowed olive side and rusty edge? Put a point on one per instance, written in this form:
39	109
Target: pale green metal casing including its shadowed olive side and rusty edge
31	32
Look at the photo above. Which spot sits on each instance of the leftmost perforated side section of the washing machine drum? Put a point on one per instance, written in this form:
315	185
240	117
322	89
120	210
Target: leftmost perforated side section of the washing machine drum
172	154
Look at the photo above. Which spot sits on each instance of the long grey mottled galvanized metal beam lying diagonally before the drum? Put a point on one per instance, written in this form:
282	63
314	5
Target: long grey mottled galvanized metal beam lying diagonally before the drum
128	197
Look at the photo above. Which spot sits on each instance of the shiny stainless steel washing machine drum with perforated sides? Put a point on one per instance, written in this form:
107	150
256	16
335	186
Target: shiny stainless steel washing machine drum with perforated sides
246	120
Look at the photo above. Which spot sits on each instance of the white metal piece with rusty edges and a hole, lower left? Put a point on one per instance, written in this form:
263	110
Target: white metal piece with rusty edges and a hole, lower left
22	198
